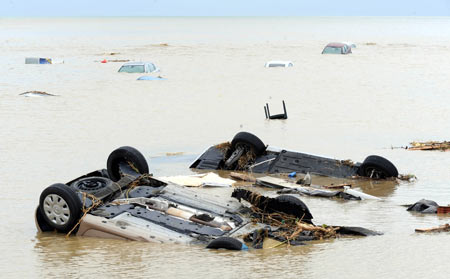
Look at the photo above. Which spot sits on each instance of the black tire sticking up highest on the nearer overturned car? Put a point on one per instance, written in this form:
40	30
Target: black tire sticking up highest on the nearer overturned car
125	154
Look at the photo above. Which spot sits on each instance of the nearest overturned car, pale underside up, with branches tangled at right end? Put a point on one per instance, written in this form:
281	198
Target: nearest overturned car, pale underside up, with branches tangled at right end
125	202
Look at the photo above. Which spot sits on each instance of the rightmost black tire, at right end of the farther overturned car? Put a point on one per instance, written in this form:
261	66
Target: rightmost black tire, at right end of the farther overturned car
380	166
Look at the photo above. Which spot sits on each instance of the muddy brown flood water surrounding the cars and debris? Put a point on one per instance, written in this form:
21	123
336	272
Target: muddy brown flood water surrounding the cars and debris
392	90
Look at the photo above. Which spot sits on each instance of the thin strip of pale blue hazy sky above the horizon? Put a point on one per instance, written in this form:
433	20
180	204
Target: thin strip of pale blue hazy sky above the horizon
224	8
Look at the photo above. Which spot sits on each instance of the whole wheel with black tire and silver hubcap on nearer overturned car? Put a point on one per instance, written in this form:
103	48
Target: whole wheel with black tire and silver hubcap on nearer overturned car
71	201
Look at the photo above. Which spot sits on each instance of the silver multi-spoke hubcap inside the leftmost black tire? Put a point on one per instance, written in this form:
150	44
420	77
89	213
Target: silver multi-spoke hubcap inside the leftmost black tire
56	209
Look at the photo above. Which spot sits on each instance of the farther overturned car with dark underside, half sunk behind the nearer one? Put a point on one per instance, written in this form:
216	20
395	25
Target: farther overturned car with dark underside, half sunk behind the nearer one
248	153
